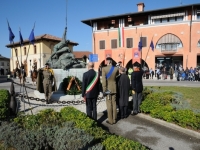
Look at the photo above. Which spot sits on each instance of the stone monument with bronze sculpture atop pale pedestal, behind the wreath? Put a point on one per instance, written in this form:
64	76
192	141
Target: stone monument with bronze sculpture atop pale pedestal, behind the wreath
64	64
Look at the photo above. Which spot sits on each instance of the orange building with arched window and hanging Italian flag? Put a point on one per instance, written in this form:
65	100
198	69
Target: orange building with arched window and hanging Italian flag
175	33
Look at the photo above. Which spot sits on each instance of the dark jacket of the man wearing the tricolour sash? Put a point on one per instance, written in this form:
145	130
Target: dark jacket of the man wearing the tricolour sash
87	79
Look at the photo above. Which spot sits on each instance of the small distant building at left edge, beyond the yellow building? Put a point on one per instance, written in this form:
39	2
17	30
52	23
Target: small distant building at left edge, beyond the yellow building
4	65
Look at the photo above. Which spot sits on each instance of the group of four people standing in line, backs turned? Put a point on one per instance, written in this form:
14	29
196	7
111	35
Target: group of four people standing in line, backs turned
115	86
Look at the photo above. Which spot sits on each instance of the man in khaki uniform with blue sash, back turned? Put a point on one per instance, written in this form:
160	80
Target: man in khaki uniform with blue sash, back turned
109	74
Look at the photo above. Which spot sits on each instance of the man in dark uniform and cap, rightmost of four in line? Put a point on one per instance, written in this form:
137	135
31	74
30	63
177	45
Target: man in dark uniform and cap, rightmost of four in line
137	88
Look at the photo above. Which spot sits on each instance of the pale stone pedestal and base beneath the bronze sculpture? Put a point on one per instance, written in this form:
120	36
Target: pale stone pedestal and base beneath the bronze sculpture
60	74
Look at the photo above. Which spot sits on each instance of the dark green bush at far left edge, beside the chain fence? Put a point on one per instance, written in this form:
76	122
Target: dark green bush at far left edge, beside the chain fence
4	103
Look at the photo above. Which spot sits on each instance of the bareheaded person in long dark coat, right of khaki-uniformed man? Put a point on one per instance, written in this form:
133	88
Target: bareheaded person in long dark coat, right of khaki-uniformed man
124	87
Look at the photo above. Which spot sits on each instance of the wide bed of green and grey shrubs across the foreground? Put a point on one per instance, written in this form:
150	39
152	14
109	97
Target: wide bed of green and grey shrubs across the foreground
67	129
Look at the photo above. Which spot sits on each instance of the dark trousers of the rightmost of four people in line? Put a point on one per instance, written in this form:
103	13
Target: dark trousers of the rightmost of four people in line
137	100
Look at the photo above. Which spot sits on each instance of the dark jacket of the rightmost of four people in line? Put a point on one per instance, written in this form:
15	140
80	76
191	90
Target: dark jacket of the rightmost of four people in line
136	81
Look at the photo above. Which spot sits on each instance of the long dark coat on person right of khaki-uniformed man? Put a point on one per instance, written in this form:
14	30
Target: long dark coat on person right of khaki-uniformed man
124	87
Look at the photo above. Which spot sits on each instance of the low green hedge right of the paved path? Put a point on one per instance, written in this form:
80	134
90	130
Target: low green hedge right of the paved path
159	104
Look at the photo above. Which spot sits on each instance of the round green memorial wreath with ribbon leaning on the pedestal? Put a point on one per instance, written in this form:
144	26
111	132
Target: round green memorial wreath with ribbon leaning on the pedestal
72	85
